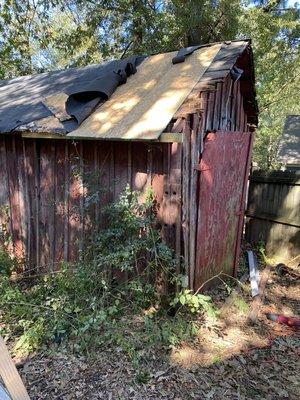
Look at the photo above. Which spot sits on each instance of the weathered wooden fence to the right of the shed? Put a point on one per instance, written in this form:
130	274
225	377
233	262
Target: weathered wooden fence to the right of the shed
274	213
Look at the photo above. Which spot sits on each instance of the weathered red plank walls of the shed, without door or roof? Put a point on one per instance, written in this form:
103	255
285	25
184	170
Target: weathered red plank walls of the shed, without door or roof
45	190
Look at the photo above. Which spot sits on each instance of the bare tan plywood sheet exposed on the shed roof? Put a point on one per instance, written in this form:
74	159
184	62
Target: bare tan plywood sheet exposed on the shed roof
141	109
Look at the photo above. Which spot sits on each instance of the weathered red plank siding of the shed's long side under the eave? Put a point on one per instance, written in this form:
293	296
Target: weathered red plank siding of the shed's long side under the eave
45	187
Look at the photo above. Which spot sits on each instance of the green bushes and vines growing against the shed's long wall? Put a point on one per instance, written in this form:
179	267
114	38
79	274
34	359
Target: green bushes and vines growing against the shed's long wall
109	297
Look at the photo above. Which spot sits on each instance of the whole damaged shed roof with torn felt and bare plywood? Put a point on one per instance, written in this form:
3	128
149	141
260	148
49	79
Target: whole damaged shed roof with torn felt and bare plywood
131	99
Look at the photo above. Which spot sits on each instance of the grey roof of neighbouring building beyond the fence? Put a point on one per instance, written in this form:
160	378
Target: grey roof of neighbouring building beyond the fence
289	148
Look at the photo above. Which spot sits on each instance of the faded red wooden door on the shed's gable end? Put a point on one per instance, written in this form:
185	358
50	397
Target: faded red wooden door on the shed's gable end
224	169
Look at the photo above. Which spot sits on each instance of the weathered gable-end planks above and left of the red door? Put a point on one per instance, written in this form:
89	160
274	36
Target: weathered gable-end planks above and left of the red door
220	106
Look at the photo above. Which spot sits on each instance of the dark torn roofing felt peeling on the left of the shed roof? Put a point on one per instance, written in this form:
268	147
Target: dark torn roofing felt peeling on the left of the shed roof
59	101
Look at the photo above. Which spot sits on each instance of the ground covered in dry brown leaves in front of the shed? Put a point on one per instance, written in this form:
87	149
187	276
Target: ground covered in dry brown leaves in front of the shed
229	359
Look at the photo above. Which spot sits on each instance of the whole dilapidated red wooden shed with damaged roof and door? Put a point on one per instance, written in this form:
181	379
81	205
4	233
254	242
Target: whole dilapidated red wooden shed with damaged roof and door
181	122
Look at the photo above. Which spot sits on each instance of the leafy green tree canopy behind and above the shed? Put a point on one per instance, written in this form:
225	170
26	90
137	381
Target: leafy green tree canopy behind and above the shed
41	35
